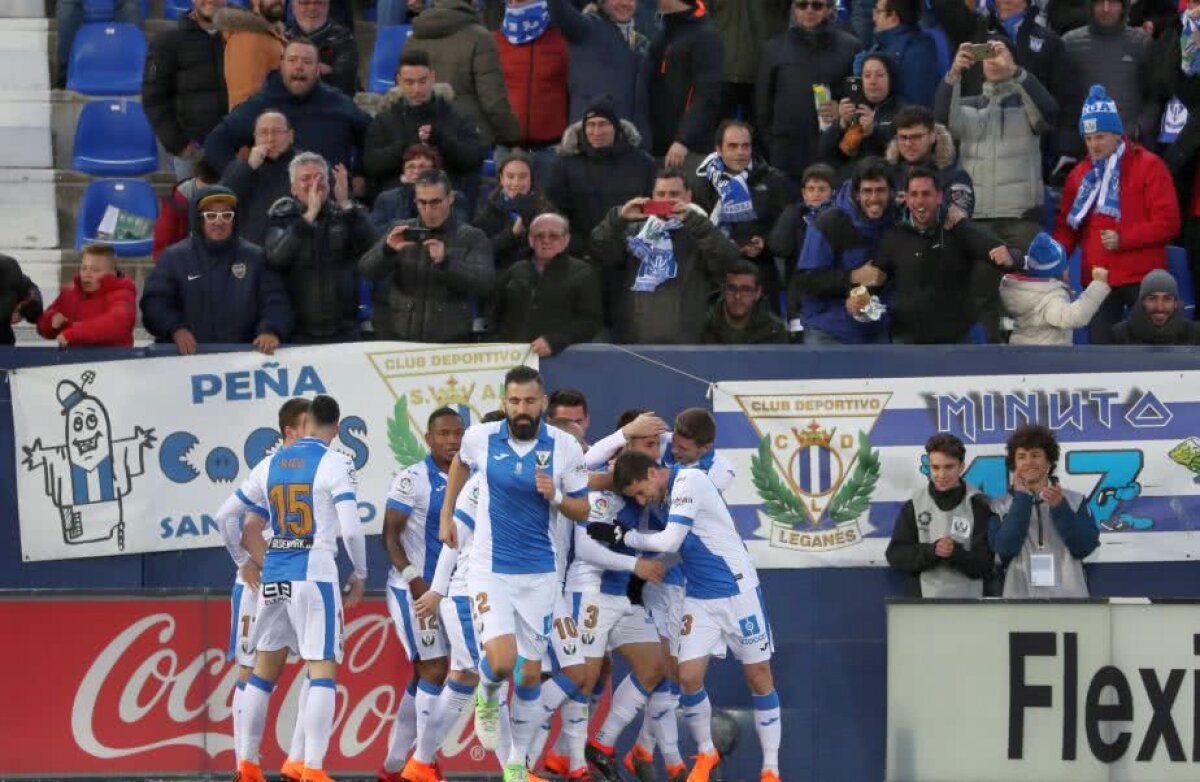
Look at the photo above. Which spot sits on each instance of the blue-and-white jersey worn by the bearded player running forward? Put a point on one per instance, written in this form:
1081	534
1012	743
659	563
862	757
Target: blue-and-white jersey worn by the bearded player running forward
515	525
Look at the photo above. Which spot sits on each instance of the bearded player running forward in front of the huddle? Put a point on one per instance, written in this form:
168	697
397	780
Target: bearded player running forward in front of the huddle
531	473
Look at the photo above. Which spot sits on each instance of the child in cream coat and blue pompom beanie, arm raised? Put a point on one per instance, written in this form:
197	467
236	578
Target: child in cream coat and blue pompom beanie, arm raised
1040	298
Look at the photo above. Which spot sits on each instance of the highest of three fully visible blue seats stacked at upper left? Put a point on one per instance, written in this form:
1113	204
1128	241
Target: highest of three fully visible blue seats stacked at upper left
107	59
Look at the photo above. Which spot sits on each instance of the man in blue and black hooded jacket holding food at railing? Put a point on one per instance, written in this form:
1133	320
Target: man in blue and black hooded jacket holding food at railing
837	257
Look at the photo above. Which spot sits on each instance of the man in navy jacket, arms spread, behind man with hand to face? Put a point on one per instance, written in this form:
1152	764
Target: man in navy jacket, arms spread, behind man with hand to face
323	119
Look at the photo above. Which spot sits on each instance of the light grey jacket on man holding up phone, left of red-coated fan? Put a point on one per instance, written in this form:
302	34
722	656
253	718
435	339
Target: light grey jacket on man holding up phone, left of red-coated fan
1000	146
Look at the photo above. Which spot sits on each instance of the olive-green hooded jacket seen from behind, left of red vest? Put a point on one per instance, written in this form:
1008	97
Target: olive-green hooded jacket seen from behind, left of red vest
464	55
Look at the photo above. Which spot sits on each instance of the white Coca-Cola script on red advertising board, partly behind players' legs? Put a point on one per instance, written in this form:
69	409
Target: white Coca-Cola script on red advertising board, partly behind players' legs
147	689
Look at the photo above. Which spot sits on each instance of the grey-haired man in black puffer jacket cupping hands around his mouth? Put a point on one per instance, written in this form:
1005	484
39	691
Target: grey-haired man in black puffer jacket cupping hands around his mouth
314	242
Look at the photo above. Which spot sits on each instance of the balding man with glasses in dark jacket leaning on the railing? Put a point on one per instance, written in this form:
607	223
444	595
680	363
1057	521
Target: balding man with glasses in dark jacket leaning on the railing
550	300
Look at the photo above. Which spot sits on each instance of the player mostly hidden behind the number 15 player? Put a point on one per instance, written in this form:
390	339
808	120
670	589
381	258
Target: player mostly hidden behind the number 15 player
244	605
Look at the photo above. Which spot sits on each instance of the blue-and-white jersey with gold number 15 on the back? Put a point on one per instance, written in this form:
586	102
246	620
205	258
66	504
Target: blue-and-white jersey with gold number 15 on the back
304	486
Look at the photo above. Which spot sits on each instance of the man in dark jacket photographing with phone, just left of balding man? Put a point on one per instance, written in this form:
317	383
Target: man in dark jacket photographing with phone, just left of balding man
436	270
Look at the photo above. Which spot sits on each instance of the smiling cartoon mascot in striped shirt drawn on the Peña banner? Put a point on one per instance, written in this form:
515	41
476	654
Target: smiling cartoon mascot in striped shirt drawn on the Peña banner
88	477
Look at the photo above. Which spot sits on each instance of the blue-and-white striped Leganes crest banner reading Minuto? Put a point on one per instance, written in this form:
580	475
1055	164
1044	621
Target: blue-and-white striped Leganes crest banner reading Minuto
826	466
